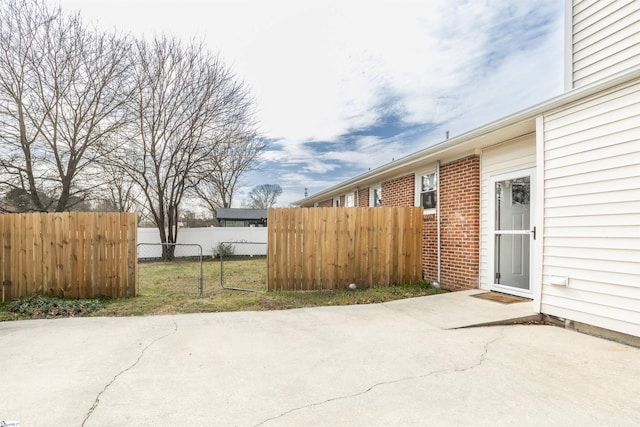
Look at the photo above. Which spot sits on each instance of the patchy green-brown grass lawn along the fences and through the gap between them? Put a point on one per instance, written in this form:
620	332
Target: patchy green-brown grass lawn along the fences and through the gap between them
172	287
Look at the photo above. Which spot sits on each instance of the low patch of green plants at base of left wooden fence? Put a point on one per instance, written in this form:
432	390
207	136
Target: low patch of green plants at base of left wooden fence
44	306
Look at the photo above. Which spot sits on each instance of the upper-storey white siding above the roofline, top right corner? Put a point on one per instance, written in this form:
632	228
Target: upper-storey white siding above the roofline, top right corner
605	38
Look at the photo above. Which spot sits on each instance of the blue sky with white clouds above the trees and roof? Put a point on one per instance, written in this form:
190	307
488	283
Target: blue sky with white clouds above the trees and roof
345	86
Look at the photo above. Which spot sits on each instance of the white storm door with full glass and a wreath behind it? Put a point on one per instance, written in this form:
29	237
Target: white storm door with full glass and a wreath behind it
512	231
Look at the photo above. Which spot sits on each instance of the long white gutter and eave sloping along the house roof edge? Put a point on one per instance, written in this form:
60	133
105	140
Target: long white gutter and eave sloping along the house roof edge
441	147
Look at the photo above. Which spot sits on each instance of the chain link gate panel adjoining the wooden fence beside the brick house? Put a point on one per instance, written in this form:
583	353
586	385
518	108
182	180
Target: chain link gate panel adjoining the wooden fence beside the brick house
243	265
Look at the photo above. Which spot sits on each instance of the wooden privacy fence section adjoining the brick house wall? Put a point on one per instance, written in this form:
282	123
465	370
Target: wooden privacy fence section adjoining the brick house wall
329	248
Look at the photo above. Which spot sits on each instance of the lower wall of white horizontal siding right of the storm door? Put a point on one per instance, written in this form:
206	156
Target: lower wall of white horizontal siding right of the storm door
592	211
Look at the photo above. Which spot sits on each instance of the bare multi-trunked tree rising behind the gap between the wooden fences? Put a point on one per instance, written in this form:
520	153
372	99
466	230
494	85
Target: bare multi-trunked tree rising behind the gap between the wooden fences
184	100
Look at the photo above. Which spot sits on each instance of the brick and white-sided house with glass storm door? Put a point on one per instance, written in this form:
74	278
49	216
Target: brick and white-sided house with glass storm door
544	203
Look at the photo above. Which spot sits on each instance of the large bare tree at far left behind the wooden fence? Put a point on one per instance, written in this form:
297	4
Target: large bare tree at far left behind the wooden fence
63	93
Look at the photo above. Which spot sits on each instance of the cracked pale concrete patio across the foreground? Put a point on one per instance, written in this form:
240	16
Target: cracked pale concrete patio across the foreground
397	363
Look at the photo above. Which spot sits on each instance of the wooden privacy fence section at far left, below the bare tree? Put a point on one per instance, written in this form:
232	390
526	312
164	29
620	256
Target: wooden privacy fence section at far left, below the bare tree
71	254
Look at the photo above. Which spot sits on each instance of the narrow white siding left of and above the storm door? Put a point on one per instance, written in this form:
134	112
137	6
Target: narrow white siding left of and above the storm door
514	155
